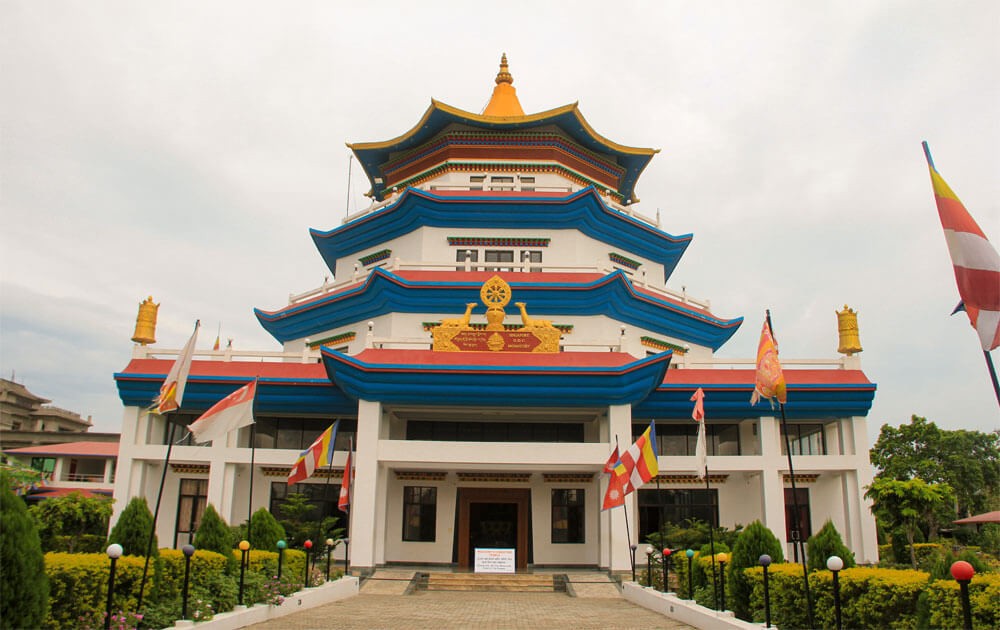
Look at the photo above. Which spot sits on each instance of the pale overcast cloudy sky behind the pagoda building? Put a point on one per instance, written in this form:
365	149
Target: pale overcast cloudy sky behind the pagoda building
182	151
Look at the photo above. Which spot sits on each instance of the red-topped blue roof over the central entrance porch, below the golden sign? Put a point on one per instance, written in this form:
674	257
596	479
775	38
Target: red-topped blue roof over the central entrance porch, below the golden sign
562	379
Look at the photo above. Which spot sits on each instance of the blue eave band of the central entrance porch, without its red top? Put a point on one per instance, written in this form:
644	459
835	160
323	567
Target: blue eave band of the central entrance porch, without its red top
507	386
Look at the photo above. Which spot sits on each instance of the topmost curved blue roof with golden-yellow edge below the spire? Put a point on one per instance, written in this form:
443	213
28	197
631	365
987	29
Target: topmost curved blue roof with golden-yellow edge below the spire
372	155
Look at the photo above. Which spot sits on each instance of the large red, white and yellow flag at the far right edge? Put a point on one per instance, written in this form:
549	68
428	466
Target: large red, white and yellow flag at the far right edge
976	262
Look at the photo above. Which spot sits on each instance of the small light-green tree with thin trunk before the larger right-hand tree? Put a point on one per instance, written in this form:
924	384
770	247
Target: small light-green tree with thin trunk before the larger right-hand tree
905	504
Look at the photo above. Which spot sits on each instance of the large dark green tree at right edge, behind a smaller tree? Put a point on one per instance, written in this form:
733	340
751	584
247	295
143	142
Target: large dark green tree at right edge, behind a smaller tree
968	461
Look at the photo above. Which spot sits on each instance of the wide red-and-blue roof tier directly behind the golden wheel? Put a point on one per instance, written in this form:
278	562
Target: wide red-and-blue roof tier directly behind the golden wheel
550	294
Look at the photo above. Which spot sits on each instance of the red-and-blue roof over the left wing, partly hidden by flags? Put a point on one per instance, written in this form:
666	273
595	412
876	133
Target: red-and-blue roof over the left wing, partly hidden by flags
281	385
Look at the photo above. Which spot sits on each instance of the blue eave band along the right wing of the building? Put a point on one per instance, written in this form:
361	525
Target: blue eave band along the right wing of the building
819	401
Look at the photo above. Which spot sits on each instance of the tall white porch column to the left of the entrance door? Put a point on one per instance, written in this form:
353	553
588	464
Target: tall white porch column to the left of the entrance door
364	545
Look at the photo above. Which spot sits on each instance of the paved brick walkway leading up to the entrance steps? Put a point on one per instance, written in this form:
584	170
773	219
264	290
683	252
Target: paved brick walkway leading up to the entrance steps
381	605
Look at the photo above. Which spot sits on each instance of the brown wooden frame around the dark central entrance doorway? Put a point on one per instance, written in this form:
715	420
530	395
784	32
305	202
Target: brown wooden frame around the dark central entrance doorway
500	498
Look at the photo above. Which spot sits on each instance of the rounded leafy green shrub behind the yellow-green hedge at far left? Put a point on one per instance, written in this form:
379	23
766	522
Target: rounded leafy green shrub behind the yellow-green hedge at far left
73	523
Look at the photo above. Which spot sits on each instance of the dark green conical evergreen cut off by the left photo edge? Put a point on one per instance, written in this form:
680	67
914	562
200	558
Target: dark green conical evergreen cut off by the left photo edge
24	587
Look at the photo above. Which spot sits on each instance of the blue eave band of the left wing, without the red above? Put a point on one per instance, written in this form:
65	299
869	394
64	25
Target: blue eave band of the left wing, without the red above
301	396
